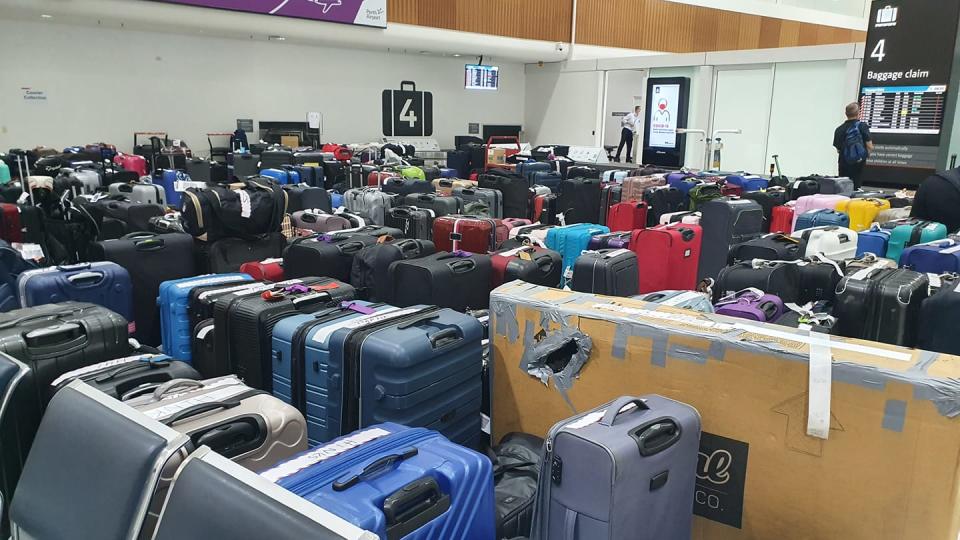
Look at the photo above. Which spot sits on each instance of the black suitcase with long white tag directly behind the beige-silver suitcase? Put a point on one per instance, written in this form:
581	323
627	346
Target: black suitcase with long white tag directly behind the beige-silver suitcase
127	377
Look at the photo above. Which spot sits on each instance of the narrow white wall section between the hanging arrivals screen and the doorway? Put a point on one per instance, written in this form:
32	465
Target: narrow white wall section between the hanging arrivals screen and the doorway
562	107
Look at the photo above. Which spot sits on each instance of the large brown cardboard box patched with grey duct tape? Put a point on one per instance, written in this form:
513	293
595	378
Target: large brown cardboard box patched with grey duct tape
887	469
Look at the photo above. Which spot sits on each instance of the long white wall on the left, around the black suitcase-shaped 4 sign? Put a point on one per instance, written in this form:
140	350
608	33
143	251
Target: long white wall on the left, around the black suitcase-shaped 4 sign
191	85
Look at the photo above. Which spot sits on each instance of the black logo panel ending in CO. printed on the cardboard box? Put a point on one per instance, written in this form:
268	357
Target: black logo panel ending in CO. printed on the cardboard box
721	478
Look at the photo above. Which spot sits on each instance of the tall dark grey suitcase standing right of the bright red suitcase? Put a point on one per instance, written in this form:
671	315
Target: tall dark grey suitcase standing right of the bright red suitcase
726	222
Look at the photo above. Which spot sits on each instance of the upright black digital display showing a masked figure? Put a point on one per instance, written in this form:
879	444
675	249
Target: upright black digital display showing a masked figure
666	112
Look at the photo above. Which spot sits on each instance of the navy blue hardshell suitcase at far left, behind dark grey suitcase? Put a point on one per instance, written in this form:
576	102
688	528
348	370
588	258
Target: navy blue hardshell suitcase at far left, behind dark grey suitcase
106	284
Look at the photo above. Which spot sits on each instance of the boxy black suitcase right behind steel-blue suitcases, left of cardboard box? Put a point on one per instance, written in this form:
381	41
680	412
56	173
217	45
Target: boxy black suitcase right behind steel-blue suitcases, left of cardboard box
459	282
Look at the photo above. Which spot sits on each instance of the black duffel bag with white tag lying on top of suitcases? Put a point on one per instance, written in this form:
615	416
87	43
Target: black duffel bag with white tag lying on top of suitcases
249	209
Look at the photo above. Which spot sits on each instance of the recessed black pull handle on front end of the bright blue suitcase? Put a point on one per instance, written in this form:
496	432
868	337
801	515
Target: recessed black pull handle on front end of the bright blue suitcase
413	506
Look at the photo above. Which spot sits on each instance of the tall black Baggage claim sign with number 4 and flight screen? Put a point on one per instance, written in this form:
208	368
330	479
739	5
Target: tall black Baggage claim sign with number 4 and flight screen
904	87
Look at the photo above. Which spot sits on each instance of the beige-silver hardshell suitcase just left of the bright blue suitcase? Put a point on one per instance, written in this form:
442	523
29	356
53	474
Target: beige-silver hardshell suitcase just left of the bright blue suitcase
251	427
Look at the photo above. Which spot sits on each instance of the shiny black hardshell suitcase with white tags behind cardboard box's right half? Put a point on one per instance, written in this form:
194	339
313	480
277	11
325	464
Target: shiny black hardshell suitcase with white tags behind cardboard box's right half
881	305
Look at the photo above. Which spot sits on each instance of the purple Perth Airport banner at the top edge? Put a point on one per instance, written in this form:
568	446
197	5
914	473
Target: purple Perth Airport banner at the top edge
360	12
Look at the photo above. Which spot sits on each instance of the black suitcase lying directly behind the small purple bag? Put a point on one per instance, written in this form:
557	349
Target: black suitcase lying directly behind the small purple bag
777	278
